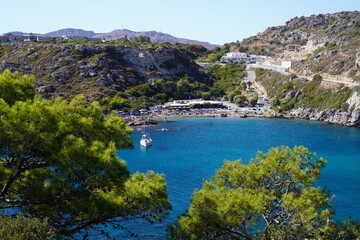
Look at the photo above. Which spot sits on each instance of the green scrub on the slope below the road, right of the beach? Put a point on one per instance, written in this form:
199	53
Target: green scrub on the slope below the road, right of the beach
288	92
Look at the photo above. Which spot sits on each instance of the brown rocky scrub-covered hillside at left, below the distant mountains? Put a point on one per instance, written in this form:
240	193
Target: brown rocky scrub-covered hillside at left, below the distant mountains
98	70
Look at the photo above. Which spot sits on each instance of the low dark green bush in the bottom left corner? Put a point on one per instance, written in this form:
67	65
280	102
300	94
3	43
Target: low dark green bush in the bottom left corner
25	228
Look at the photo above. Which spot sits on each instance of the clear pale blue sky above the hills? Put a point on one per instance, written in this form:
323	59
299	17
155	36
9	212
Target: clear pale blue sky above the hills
214	21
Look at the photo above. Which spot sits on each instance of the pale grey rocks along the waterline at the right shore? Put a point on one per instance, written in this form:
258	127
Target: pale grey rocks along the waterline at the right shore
350	118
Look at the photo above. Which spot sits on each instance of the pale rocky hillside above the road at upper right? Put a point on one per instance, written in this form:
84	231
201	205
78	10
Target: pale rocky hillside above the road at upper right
326	44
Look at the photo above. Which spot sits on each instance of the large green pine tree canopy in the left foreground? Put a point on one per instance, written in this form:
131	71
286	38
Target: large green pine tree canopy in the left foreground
58	161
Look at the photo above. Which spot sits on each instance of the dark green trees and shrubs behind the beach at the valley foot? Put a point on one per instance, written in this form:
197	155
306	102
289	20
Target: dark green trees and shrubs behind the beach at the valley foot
226	81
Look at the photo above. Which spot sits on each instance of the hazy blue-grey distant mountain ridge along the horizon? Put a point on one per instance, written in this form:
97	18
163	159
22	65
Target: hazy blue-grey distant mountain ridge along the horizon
155	37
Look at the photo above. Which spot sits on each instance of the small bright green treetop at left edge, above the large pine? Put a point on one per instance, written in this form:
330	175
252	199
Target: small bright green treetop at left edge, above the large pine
16	87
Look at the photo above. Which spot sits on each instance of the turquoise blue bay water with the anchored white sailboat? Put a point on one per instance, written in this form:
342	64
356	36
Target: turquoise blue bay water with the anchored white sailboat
194	148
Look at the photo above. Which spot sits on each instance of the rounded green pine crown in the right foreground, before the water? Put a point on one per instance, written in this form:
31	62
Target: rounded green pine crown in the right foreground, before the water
270	198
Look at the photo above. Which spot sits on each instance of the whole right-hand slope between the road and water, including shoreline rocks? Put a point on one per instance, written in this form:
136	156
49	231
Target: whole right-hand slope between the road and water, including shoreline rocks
316	100
